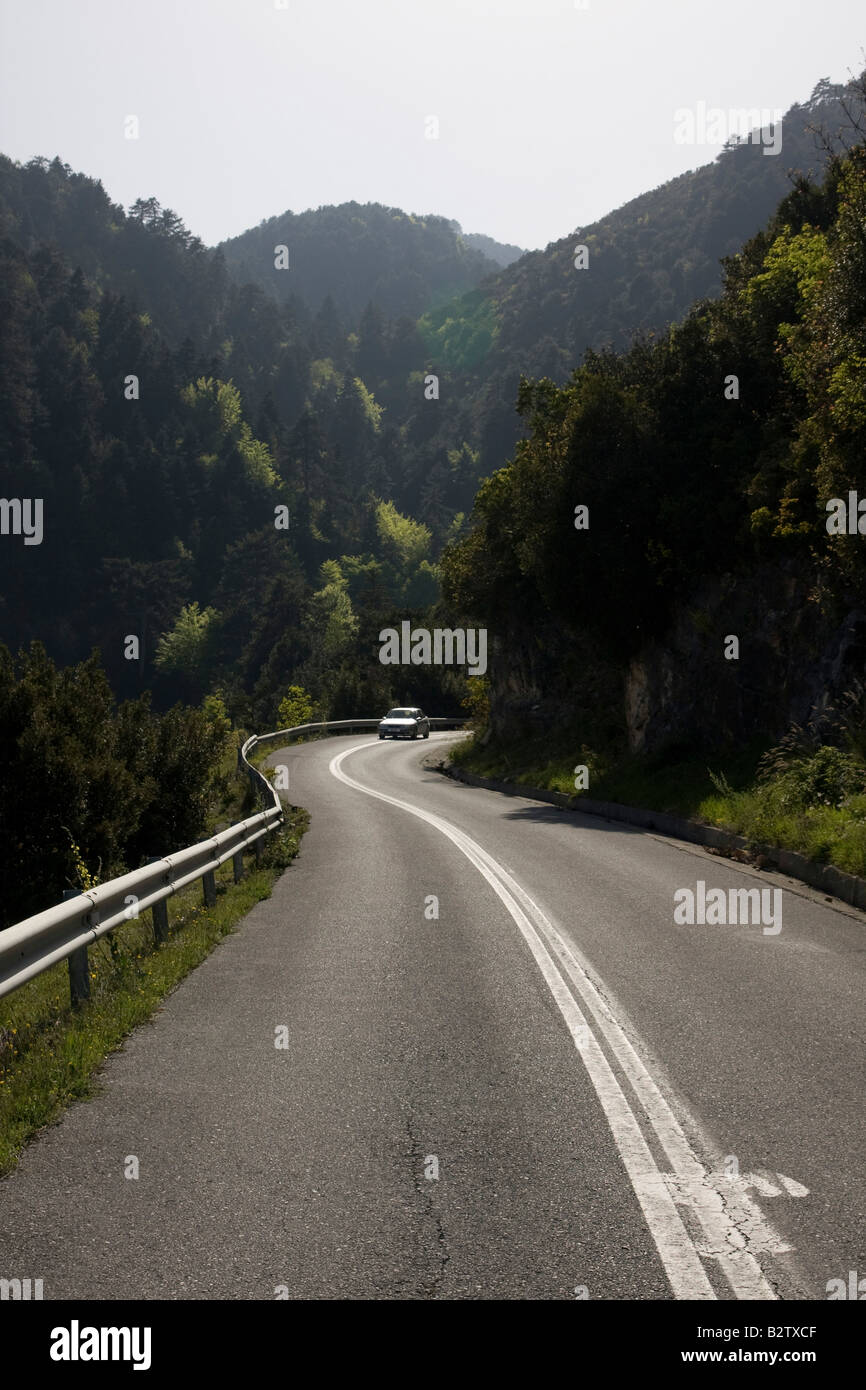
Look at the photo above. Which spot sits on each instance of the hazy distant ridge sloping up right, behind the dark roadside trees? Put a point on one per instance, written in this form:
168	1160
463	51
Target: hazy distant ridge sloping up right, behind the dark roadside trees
647	265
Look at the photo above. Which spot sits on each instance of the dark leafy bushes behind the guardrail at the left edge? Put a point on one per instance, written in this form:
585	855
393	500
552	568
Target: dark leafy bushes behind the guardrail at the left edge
70	757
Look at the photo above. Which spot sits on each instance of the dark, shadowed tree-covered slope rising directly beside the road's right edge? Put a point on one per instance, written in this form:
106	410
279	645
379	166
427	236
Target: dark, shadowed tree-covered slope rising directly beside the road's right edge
708	462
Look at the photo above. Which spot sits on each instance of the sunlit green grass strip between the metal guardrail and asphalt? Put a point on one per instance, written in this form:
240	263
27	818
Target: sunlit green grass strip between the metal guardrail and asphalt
49	1052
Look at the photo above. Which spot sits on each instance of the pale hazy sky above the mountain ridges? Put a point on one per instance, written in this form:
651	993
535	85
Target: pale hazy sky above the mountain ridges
550	115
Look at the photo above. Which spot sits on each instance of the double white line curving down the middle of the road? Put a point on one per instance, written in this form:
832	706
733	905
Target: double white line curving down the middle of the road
726	1227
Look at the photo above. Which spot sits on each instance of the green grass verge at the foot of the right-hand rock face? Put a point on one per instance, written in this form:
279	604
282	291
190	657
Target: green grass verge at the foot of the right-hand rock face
828	826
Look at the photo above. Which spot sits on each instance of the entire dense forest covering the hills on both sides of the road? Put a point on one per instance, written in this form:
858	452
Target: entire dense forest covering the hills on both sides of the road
247	473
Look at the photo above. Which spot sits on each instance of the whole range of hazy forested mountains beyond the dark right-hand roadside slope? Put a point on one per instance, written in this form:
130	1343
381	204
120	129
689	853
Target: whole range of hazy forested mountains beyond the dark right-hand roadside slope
166	412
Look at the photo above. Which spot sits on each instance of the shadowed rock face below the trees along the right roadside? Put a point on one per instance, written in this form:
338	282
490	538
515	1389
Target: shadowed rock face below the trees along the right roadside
796	658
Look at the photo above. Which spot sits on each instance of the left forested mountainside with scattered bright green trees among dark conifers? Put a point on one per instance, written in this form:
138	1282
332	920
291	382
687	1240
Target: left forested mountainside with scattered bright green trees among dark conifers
233	502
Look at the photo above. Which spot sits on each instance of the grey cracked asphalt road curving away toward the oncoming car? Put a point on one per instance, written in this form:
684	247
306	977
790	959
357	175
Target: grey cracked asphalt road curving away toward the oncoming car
508	1074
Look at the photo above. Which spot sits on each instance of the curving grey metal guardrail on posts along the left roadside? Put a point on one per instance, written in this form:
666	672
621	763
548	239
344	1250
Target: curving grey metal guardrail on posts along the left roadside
65	933
